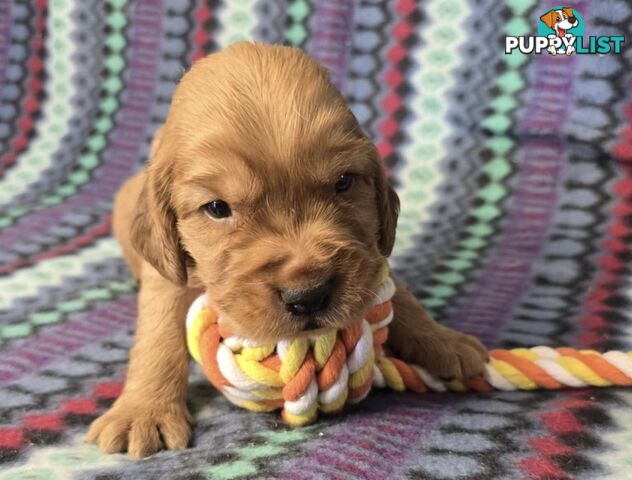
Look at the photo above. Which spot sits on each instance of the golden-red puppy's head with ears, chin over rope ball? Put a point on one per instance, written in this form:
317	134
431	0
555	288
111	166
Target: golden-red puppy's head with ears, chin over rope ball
263	188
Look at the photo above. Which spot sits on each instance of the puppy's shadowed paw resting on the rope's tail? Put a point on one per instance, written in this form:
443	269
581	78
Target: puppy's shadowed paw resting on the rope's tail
447	354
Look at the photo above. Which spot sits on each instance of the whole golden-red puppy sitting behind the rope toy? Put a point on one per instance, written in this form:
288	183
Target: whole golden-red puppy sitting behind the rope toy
262	190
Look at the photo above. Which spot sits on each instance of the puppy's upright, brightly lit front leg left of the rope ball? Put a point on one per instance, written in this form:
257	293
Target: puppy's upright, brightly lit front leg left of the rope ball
152	407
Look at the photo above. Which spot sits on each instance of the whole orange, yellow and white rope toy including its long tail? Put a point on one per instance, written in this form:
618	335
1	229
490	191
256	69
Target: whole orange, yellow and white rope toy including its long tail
321	373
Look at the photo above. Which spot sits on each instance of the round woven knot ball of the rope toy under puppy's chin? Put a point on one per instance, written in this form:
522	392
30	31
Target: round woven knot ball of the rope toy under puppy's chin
301	375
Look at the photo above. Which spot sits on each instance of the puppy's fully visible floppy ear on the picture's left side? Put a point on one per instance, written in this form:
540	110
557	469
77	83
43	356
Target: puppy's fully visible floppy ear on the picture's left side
154	229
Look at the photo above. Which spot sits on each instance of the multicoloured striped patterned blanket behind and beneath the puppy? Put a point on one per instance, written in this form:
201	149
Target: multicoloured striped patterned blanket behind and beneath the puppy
516	185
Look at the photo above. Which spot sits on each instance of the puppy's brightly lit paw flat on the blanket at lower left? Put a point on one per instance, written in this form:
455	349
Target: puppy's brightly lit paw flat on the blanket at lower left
141	429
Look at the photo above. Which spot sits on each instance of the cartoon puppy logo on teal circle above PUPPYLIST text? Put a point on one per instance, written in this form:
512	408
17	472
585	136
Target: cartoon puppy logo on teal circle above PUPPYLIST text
563	23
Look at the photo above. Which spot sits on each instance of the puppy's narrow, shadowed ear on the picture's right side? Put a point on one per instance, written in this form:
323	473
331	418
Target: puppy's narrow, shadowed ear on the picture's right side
387	208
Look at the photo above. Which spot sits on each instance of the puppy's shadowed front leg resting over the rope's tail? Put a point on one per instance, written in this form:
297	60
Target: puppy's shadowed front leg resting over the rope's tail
416	338
